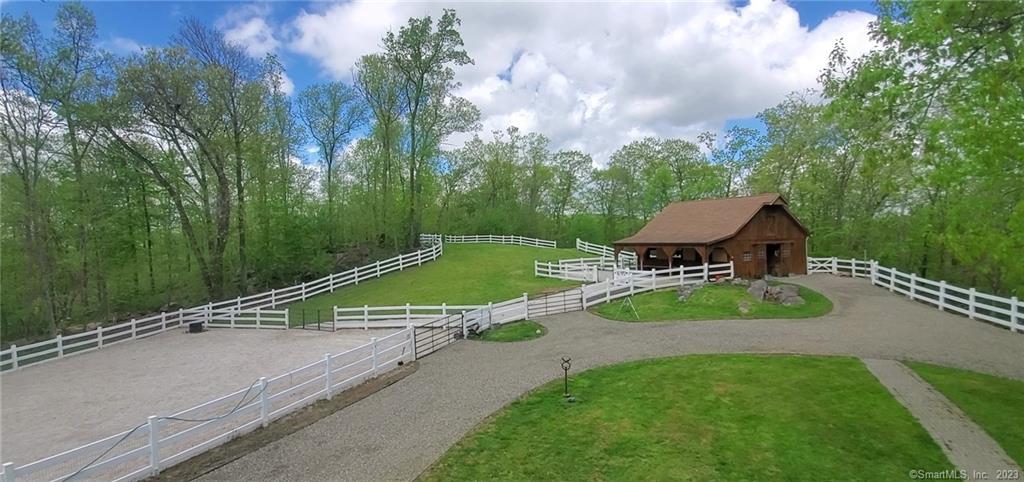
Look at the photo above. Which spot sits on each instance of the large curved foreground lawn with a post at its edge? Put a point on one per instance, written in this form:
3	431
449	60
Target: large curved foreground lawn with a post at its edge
702	418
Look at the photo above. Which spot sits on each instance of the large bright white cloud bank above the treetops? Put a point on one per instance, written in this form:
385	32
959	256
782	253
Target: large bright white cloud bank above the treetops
598	76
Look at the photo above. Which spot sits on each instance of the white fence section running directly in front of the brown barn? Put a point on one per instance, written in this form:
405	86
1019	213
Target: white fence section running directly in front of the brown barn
629	283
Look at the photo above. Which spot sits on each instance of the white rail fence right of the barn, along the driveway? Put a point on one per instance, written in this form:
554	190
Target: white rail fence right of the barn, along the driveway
1008	313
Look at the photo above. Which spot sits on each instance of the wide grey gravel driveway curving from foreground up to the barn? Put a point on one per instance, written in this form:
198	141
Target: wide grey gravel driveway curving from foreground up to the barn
397	433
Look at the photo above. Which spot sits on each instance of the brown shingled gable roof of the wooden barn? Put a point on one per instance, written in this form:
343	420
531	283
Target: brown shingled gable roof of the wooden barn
703	223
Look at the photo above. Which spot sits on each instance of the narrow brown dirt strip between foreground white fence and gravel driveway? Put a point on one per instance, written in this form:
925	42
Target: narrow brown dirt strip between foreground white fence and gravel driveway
237	449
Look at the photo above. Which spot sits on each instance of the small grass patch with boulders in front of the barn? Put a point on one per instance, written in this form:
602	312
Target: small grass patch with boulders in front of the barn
711	302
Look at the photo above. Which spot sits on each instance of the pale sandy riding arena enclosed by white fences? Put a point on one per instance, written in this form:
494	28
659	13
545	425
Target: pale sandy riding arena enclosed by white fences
59	406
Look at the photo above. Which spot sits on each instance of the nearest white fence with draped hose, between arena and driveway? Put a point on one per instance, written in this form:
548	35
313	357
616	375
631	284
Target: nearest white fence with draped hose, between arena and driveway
163	442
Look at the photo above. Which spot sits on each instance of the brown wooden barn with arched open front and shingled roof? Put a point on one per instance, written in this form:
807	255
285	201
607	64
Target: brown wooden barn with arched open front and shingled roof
758	234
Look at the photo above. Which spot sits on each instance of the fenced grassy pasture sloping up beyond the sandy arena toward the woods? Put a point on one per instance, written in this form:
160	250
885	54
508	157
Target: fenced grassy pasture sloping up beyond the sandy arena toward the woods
465	275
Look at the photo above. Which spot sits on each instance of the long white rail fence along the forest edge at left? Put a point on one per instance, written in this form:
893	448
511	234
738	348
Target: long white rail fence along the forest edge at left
252	312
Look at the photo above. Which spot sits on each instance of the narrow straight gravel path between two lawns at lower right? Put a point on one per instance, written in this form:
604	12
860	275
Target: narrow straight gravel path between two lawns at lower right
967	446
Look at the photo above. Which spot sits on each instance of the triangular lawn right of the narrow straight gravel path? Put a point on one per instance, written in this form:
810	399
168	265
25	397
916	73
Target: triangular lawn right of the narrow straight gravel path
997	405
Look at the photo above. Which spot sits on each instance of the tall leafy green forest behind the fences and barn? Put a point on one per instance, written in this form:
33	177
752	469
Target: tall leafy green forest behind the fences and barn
176	176
